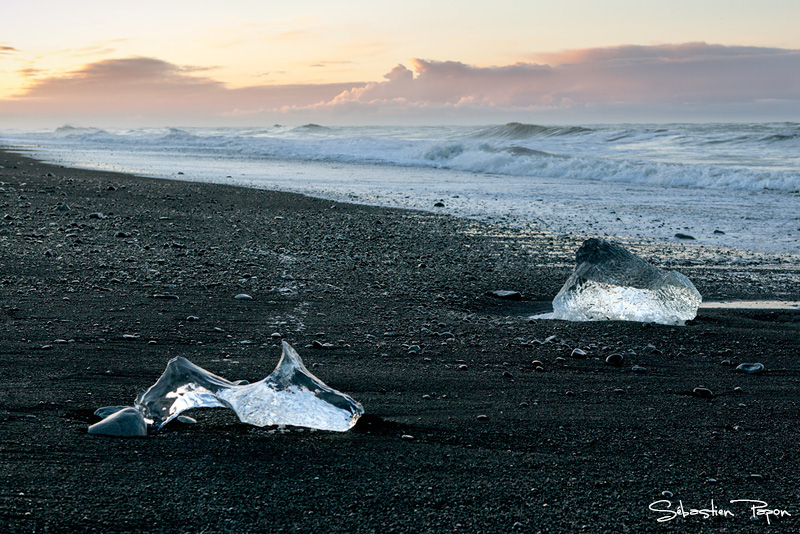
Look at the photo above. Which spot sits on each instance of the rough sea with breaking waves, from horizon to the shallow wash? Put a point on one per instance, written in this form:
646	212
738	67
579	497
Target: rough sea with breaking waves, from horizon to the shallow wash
747	157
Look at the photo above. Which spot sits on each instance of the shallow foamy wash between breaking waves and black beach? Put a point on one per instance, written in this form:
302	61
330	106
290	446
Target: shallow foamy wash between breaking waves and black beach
739	222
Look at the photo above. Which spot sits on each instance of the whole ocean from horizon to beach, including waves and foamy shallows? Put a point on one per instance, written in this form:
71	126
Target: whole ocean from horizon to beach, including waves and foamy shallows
730	185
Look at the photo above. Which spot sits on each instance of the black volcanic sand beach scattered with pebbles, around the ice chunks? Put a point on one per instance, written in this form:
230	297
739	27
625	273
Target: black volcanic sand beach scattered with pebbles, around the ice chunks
463	436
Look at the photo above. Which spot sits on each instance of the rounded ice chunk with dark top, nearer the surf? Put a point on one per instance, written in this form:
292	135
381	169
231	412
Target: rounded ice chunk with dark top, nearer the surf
611	283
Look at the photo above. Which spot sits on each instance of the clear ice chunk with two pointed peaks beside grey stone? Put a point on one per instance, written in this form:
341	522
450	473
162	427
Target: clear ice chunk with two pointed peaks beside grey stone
291	395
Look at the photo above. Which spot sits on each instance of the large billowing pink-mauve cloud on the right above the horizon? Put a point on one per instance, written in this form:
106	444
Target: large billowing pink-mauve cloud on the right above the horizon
691	74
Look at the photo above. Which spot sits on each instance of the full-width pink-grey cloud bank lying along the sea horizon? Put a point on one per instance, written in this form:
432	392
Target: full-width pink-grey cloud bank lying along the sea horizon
692	81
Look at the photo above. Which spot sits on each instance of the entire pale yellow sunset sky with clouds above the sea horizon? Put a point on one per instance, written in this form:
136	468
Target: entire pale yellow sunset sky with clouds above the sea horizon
242	62
